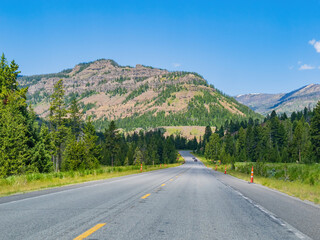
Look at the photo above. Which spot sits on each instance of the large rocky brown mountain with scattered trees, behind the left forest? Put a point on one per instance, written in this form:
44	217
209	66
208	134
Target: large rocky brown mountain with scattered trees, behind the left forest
140	96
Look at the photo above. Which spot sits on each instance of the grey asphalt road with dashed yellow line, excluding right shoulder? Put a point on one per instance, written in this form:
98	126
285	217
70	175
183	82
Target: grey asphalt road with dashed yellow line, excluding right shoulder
187	202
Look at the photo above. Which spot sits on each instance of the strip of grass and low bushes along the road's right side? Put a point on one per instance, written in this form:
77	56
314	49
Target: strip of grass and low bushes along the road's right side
298	180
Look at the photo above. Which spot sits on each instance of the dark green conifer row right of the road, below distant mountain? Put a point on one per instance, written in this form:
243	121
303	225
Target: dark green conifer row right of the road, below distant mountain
279	138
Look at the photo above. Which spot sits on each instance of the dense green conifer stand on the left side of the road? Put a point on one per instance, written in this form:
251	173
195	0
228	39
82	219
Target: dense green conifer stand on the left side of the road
64	141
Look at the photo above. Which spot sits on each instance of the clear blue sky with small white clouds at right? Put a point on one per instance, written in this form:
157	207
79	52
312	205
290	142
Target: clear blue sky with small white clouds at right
240	47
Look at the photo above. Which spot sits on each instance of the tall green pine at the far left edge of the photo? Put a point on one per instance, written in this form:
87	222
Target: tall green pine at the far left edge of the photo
14	131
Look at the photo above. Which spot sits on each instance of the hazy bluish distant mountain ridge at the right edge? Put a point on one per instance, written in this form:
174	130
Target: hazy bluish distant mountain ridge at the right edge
296	100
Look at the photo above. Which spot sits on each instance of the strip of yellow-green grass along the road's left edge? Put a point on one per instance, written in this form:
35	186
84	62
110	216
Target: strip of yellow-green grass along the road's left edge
37	181
